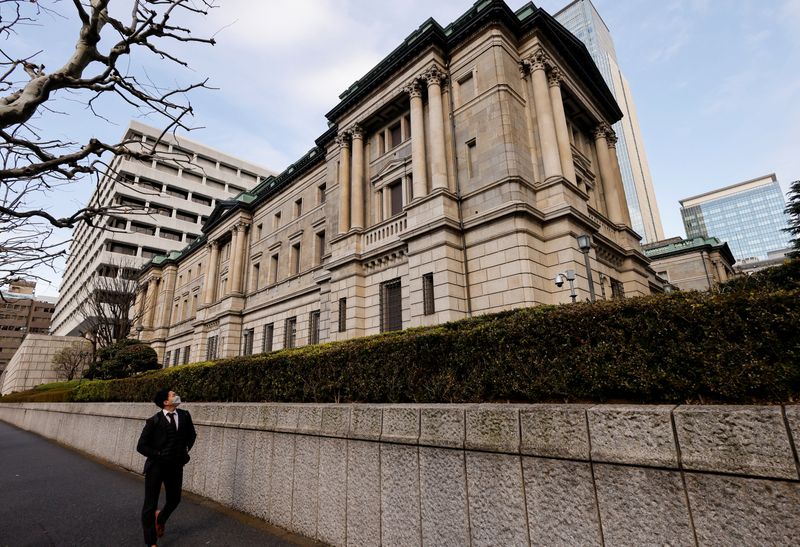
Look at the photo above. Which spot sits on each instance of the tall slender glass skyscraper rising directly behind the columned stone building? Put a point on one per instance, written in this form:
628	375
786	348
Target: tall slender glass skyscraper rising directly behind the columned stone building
582	19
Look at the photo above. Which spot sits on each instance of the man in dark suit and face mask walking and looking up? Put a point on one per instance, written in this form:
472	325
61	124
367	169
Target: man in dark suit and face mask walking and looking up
166	440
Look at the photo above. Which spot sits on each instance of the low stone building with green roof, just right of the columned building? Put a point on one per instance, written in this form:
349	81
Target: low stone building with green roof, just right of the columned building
697	264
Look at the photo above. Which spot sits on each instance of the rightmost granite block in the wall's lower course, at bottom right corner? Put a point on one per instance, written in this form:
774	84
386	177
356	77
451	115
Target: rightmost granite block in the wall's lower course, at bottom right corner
741	511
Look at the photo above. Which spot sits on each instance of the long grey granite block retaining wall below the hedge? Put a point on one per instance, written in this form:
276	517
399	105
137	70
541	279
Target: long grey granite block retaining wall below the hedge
477	474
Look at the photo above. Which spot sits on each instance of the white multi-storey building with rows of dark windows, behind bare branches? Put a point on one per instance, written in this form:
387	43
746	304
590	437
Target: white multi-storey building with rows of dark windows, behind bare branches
161	206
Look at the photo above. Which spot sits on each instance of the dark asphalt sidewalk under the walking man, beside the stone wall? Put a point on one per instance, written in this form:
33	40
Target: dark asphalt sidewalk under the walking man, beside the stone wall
52	496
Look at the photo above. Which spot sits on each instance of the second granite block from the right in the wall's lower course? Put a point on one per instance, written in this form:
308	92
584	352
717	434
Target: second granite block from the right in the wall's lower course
642	506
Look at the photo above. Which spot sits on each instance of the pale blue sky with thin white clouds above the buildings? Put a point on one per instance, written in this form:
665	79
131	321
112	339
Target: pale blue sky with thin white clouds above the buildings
715	82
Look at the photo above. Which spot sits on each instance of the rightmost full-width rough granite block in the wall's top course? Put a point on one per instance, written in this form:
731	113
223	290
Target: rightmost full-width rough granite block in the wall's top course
746	440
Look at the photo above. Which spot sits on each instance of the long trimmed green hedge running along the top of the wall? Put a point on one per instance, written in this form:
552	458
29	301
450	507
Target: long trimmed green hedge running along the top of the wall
738	347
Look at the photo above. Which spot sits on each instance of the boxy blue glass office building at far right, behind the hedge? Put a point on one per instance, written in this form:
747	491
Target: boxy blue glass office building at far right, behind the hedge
749	216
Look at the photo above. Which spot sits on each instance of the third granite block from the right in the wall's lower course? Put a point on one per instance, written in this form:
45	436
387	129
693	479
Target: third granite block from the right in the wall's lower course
560	500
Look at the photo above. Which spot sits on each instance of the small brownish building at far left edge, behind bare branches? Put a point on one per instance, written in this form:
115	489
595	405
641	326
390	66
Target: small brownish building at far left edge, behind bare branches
21	313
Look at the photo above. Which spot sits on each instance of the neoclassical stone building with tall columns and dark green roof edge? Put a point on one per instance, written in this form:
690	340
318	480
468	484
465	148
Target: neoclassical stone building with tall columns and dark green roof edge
453	181
